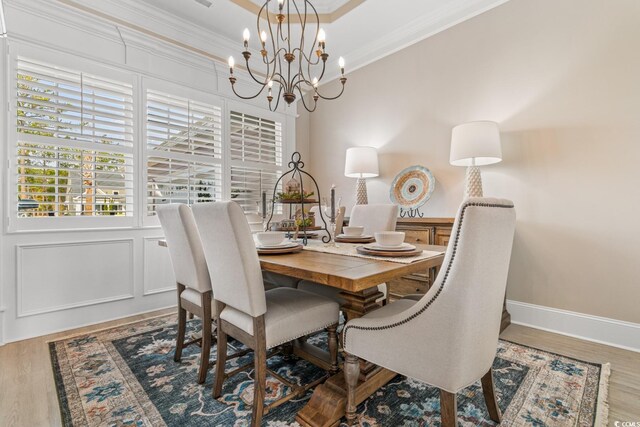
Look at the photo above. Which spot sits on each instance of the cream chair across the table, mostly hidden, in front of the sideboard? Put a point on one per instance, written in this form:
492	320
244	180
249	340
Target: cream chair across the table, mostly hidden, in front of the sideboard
374	218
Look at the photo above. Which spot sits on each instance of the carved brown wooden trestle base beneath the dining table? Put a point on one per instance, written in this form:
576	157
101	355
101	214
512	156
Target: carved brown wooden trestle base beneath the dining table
328	402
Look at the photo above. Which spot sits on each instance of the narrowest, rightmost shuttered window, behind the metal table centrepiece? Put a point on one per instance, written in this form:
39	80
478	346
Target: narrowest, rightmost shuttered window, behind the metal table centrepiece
256	158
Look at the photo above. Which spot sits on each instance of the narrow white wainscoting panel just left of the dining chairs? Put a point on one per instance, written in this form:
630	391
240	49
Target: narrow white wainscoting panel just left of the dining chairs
158	272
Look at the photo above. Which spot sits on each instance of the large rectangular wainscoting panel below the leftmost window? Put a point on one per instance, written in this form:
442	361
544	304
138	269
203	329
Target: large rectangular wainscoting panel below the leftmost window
59	276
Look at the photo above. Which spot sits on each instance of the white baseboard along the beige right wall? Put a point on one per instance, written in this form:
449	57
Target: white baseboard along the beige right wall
602	330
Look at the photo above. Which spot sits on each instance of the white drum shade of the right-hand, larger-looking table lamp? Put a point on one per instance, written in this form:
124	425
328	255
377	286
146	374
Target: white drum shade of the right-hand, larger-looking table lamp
475	143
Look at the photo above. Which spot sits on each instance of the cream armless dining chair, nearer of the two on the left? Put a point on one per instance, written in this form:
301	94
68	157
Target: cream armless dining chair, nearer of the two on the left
259	319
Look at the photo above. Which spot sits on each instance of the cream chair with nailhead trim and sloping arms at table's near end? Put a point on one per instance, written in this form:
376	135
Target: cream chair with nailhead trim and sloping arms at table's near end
448	338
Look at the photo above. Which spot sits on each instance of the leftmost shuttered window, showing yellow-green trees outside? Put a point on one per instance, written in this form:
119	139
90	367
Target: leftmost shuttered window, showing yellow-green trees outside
74	148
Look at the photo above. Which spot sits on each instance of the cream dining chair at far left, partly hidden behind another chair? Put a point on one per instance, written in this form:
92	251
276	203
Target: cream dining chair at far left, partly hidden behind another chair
192	278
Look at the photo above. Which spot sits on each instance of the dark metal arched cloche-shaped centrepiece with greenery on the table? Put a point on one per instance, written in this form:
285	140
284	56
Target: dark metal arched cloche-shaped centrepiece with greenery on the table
295	195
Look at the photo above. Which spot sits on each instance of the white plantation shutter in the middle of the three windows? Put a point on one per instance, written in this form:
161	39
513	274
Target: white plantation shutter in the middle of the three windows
184	151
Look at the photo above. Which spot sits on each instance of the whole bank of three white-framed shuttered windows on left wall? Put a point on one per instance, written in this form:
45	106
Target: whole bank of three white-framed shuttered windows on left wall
96	146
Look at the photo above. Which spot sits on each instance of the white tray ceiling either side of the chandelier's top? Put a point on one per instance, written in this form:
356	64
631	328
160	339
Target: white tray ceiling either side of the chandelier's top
361	31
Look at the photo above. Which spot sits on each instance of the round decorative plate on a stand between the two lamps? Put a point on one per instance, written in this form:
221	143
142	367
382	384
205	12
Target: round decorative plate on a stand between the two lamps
411	189
